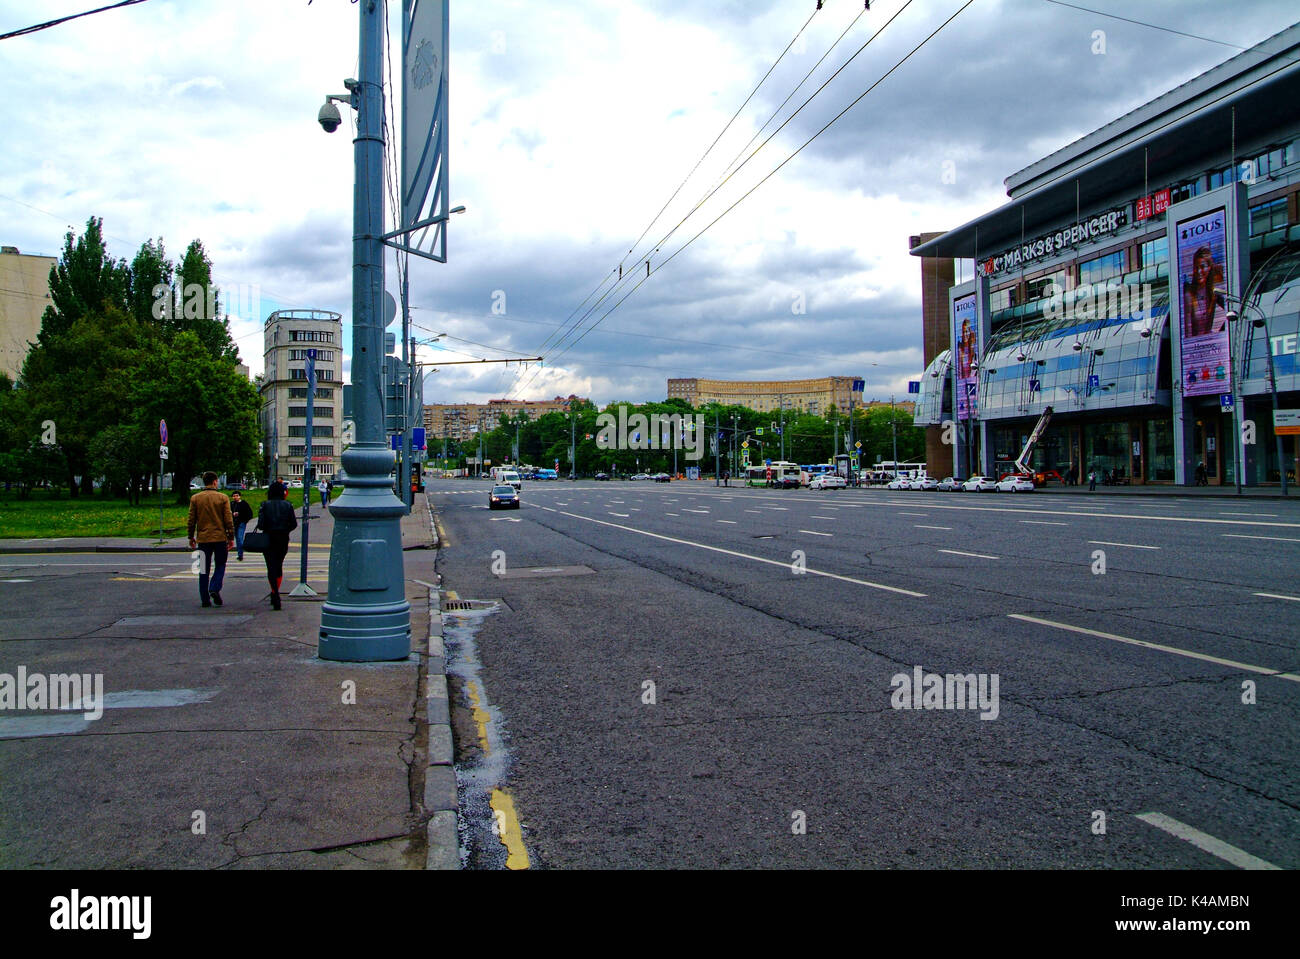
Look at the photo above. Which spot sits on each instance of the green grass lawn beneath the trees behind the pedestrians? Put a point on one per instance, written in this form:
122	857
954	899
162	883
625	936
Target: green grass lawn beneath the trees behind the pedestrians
44	515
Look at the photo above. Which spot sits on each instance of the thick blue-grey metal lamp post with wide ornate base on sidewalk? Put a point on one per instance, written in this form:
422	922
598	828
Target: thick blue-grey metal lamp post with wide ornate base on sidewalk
367	617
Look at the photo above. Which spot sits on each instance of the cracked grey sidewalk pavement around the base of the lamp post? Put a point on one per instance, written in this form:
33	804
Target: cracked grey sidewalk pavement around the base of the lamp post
226	743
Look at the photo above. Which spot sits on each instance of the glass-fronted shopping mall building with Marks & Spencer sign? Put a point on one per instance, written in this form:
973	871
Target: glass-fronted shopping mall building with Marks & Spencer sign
1138	284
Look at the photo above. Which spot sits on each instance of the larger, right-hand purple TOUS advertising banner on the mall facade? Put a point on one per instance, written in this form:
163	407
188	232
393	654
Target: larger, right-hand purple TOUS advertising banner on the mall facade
1202	268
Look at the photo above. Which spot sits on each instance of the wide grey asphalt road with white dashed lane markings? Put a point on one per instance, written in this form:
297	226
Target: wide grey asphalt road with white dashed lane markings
1121	633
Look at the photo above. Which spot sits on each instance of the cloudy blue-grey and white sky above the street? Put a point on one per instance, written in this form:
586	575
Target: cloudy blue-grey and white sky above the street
573	123
